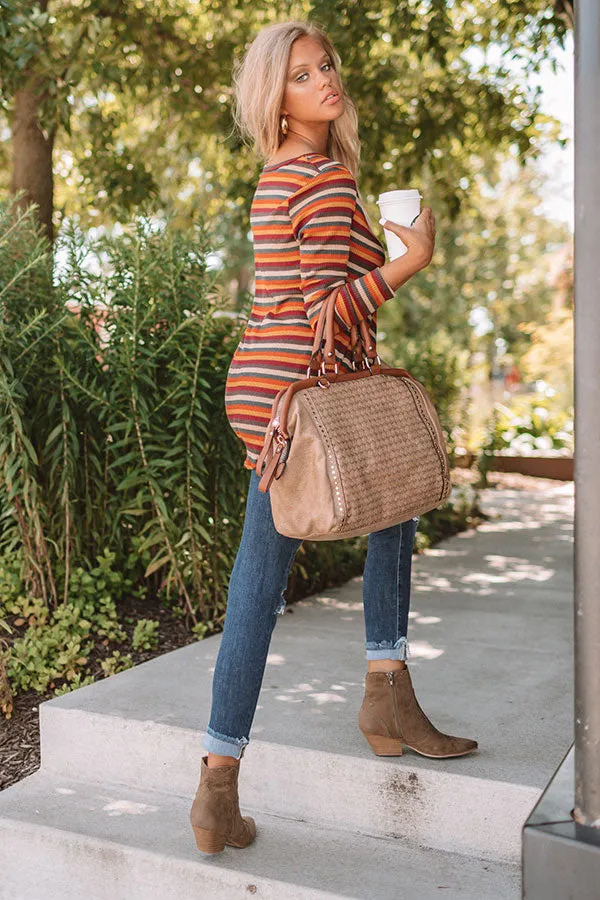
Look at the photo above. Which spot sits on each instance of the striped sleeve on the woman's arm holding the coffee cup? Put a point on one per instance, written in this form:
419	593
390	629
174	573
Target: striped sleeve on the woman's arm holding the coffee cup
321	213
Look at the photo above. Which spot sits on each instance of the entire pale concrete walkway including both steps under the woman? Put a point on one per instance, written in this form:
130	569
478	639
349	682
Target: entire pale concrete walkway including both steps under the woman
491	658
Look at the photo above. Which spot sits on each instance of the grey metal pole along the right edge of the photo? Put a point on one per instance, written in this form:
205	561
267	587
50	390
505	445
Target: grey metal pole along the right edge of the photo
587	413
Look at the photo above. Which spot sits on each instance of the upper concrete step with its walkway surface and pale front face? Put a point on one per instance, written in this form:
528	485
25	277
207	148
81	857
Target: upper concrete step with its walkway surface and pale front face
491	640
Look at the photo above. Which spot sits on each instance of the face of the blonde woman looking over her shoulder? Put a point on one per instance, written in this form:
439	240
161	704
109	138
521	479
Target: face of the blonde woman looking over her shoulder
310	77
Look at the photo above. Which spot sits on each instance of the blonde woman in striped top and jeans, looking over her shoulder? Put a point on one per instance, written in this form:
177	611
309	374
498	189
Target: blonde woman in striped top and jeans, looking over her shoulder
311	233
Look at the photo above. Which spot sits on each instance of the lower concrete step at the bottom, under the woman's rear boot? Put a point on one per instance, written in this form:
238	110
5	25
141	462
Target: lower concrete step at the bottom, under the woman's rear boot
66	839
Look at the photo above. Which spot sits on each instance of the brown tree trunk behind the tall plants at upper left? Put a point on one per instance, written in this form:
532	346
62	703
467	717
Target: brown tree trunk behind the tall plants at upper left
32	154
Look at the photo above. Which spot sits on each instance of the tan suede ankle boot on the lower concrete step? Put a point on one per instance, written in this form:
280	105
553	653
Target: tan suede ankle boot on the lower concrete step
215	814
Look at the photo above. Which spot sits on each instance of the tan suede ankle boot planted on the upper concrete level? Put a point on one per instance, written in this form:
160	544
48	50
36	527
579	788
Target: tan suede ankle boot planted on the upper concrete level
390	716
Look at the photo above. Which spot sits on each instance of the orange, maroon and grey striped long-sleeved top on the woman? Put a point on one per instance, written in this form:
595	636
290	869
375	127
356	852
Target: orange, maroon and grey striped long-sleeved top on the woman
310	235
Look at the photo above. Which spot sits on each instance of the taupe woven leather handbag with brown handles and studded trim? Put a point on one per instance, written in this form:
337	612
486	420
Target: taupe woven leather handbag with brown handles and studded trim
353	452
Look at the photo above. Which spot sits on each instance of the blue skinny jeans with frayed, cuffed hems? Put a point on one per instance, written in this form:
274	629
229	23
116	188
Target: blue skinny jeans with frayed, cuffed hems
256	597
